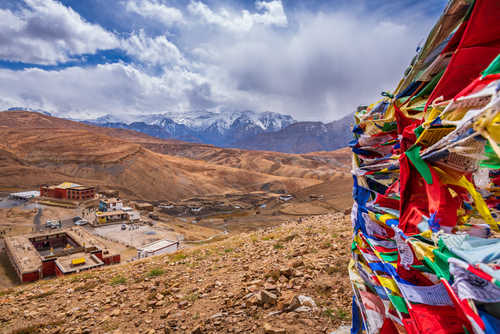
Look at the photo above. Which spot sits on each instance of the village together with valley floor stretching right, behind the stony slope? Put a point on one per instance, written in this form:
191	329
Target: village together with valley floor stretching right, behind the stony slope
77	227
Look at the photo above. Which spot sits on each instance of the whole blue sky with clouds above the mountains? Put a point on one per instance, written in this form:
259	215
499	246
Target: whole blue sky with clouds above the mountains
314	60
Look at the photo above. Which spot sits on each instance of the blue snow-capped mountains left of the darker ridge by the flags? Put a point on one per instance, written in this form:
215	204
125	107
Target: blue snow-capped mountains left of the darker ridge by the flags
218	128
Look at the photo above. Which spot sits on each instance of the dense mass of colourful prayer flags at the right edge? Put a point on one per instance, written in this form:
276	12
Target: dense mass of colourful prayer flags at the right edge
426	244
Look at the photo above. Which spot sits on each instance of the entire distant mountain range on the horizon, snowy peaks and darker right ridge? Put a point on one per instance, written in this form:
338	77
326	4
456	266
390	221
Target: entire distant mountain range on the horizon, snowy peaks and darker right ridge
266	131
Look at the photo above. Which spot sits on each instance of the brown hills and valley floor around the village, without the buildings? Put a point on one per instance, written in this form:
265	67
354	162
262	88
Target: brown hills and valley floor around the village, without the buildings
199	193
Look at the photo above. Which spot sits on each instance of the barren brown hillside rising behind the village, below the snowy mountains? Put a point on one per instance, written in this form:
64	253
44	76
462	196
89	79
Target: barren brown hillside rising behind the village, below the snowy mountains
37	149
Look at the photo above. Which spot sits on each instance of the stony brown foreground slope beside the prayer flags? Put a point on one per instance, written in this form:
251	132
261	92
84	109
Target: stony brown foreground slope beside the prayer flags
288	279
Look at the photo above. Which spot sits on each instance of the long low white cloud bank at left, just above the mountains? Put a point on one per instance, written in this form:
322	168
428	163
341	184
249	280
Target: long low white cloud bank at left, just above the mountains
110	88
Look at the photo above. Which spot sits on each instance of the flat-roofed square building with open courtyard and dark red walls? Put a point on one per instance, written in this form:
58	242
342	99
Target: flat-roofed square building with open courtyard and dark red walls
40	255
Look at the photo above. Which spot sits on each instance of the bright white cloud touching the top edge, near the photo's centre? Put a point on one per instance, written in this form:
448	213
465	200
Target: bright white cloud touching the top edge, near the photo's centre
272	13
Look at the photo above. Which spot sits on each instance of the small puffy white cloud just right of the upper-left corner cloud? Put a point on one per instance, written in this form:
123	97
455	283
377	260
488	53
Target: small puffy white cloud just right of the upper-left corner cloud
154	51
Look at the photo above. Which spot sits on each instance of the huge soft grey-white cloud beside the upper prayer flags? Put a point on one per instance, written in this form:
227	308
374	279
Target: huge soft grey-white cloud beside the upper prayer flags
332	62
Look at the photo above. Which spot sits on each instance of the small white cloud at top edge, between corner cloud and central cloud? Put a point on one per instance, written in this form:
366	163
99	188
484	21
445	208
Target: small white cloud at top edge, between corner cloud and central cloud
155	10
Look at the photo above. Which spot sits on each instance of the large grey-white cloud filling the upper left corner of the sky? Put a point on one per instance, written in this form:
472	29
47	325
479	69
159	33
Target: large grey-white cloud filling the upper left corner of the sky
47	32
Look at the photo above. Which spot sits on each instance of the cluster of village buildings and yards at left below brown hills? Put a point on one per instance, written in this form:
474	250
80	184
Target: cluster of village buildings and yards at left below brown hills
105	232
